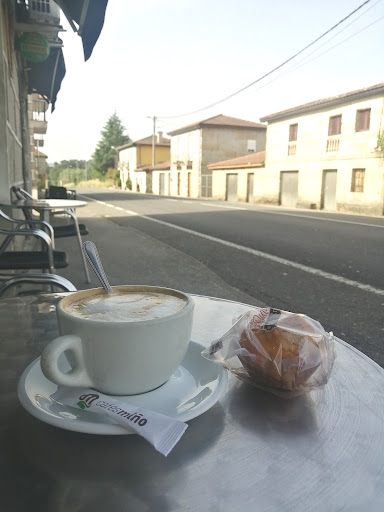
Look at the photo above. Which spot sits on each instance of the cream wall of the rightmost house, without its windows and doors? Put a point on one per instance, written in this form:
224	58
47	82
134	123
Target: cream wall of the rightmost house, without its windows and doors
356	150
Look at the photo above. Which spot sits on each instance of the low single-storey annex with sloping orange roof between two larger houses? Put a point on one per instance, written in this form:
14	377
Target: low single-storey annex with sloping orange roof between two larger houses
233	180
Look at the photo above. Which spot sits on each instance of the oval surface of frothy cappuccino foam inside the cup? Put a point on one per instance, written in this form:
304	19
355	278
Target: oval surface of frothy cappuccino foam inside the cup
128	307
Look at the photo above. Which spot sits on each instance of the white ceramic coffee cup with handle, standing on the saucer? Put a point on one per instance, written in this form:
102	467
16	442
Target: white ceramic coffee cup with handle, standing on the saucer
120	356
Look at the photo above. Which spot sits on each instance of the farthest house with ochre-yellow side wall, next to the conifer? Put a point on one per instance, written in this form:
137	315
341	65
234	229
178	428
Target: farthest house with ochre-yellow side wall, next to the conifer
135	162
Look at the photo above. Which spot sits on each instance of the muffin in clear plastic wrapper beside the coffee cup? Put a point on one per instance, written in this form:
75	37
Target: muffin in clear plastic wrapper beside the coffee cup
285	353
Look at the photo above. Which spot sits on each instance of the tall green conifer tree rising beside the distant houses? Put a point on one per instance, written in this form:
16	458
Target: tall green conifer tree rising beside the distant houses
112	136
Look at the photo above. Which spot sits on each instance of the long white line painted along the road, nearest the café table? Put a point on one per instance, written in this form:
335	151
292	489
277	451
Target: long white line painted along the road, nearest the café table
254	252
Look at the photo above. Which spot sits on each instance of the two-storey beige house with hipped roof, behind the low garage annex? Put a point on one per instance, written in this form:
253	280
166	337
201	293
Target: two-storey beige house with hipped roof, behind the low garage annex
195	146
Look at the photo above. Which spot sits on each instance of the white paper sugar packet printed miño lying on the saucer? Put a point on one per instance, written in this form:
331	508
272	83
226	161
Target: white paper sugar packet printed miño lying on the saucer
159	430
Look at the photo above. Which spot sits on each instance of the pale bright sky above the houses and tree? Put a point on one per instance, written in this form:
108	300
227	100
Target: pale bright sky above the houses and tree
167	58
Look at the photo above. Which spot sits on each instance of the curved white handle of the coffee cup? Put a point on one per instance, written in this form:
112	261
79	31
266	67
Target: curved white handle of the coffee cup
78	376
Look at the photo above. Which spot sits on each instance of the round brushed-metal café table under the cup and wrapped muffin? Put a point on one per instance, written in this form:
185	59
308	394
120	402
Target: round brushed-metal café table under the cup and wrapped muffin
323	451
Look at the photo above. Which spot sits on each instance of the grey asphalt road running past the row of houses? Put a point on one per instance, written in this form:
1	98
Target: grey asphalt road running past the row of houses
326	265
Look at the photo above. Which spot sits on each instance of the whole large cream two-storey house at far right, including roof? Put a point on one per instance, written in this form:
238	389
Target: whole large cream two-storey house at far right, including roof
326	154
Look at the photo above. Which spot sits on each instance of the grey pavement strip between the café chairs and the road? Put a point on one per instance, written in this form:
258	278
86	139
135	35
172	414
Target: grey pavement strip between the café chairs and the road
132	257
